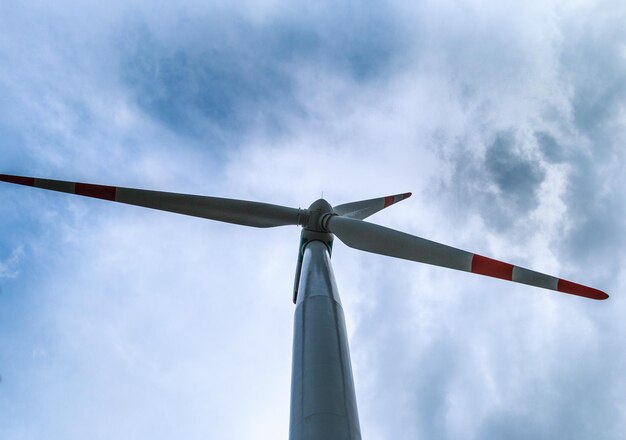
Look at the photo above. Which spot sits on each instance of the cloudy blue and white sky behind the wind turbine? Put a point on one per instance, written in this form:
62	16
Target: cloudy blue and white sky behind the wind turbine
507	121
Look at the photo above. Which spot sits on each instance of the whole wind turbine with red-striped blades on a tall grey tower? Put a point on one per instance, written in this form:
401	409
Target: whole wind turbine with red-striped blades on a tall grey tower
323	401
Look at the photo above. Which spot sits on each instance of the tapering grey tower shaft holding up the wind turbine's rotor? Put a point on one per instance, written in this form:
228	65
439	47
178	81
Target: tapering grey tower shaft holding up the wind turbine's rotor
323	401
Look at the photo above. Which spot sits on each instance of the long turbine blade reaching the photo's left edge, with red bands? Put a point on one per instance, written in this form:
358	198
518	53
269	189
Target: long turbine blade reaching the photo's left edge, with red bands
241	212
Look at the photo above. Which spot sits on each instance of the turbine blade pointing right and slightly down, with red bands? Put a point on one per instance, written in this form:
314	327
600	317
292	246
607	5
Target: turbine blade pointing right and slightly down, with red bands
380	240
